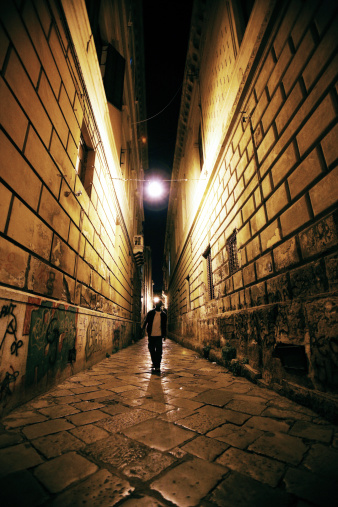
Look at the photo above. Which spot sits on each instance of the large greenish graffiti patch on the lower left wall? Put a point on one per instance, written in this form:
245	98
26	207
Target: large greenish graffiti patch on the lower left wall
52	335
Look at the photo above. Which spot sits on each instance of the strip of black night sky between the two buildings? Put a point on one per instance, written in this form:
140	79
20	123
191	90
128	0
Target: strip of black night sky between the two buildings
166	33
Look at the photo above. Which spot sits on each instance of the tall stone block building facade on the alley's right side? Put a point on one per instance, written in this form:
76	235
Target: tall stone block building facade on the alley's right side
251	238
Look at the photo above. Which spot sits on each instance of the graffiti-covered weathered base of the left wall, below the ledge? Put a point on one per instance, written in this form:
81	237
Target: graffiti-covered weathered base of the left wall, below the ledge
43	342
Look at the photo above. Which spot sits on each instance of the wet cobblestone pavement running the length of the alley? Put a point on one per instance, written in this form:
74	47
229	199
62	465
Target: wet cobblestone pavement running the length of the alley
117	434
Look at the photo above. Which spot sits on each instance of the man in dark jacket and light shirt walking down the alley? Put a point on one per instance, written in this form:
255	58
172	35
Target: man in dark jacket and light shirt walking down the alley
156	324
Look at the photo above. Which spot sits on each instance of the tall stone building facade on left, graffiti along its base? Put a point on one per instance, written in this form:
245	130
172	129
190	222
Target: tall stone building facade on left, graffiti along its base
73	147
